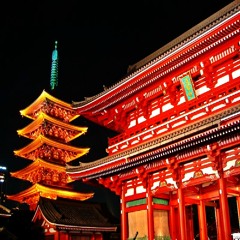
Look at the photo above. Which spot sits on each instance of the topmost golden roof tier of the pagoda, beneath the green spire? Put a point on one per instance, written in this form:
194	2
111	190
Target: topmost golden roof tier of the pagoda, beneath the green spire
51	106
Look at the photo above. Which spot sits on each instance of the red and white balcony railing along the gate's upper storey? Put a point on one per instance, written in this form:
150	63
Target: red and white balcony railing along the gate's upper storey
211	102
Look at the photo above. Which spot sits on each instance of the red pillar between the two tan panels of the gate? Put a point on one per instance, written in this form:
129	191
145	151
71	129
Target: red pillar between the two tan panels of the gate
150	211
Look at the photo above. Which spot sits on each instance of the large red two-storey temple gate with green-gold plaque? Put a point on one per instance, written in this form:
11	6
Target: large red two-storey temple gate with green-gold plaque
177	147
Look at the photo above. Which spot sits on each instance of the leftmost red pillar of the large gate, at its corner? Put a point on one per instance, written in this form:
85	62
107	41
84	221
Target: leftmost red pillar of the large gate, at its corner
124	231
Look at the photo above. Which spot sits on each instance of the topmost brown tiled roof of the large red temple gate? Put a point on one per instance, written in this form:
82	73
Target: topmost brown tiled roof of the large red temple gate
109	96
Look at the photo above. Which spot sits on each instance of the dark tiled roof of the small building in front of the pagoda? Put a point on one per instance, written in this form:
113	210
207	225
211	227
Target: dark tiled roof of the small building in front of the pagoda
74	215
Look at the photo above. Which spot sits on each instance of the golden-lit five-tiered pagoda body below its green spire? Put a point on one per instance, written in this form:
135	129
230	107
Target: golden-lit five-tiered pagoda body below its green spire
49	151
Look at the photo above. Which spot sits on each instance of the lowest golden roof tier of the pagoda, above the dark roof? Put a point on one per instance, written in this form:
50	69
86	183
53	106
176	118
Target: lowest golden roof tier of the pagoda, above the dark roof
32	195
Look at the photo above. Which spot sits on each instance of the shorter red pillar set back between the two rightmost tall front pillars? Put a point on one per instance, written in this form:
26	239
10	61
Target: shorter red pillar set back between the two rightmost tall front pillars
202	220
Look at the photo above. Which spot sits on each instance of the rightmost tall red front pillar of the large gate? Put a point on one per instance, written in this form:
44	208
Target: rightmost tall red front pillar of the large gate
223	204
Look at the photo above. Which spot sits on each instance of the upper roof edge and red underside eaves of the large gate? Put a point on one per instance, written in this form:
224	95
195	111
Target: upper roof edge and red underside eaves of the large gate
156	61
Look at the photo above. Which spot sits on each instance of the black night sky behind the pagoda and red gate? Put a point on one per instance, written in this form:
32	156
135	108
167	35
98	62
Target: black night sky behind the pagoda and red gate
97	41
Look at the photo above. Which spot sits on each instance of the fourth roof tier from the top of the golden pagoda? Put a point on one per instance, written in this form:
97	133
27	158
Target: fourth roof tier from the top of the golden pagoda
37	171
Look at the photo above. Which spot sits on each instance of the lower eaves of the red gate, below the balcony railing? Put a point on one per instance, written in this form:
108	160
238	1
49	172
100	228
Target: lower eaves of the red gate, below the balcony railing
104	167
